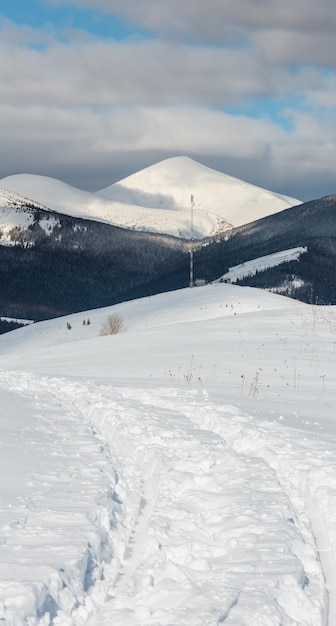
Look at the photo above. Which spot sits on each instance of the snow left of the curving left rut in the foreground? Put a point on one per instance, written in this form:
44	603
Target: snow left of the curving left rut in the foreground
57	504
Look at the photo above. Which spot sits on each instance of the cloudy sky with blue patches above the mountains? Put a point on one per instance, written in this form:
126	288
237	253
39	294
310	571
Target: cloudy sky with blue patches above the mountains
95	90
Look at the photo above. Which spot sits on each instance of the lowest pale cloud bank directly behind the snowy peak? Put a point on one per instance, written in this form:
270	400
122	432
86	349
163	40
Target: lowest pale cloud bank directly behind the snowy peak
59	140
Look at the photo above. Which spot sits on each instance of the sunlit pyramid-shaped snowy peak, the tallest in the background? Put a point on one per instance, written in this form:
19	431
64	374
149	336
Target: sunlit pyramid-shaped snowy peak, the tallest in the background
171	183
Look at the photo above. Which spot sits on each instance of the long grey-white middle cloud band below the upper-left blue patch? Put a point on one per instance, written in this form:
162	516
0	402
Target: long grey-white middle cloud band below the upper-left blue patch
103	73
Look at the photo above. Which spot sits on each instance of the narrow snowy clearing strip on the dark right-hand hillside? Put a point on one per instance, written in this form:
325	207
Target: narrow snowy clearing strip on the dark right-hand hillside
250	268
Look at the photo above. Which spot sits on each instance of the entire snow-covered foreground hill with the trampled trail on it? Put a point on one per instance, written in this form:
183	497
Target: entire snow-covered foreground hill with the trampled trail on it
179	473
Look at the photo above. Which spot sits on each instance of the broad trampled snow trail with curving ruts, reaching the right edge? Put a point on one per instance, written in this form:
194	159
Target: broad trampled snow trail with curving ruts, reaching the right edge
218	511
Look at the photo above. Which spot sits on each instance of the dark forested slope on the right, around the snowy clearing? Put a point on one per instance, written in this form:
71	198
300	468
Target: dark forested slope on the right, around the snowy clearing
311	278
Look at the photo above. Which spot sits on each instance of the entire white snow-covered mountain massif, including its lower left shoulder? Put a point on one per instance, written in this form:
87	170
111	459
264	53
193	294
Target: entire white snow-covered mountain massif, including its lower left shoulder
158	199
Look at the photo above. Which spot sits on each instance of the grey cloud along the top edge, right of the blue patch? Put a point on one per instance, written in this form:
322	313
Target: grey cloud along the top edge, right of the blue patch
217	20
